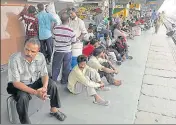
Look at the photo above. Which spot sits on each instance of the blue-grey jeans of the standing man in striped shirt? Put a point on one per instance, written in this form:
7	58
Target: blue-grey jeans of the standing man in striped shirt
60	58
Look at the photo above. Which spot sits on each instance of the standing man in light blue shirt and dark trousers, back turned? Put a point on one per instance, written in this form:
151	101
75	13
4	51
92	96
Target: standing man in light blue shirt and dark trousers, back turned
46	21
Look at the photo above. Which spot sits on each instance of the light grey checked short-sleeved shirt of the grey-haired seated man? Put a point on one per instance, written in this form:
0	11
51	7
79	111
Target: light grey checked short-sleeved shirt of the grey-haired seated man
20	70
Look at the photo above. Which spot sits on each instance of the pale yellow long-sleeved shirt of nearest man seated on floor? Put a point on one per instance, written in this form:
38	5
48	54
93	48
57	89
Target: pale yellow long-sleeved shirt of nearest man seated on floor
78	76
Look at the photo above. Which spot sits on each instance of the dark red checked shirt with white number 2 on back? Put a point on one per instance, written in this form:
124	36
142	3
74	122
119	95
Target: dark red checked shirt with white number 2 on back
31	23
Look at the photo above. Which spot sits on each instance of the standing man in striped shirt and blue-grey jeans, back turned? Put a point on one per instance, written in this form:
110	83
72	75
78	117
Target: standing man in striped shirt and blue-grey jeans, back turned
64	38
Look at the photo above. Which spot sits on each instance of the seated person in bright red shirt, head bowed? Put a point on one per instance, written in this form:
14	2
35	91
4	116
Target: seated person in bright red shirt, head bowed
88	49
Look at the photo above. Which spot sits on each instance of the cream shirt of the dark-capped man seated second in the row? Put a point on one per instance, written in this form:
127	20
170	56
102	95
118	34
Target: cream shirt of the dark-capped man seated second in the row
95	63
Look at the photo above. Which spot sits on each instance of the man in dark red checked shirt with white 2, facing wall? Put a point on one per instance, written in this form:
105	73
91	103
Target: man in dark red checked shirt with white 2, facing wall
31	22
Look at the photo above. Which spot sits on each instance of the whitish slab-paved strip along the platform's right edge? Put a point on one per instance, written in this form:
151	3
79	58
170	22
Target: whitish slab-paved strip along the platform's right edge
157	102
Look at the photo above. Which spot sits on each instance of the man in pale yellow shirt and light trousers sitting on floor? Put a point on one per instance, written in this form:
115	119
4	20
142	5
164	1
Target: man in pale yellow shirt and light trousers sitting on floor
82	77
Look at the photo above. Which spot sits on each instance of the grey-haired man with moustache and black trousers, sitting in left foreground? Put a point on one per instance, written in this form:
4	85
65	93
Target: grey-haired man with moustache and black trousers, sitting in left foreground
28	75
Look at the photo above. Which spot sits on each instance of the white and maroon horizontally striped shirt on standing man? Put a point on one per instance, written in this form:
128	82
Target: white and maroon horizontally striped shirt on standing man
64	37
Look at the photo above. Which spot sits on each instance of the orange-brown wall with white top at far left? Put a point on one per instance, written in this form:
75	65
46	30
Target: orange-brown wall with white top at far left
12	32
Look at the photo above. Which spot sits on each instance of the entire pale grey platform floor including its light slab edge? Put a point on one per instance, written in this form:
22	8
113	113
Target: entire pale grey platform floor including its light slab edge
147	95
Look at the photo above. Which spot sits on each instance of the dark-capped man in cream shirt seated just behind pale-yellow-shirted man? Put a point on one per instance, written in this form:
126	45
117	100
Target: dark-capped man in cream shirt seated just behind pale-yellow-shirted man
103	66
